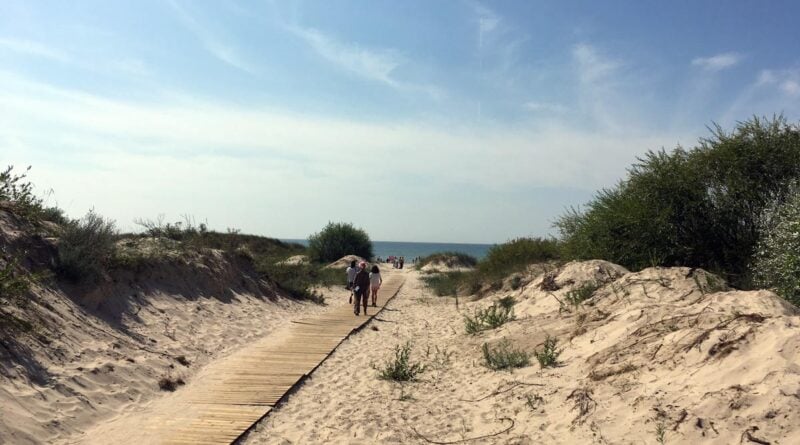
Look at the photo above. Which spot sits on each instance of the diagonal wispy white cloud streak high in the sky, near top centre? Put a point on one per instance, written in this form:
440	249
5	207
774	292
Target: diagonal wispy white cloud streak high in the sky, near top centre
372	64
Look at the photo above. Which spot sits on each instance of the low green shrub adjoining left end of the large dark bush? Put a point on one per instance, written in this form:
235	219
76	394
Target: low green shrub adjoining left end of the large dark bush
515	255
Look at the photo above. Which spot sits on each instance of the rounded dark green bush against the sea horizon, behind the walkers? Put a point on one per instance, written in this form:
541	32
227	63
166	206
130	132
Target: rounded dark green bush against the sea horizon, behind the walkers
337	240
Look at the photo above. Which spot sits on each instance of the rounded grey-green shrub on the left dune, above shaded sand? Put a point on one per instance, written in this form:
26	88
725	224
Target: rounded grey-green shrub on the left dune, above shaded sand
85	247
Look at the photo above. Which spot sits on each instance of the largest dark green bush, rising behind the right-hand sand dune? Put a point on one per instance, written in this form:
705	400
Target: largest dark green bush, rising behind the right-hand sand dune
697	208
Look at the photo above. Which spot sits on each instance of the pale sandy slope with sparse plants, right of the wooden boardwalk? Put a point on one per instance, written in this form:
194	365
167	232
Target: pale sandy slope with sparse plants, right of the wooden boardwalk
659	350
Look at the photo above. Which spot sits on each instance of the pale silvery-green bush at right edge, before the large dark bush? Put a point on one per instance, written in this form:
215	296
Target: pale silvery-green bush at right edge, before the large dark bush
776	262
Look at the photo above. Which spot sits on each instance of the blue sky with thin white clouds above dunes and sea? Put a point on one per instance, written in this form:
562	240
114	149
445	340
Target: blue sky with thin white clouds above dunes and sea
449	121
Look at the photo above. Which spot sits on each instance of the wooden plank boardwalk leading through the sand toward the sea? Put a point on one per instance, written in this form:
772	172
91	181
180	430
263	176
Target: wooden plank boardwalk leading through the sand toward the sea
246	390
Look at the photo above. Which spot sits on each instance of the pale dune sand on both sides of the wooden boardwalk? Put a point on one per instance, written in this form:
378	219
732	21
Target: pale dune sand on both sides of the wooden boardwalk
666	353
